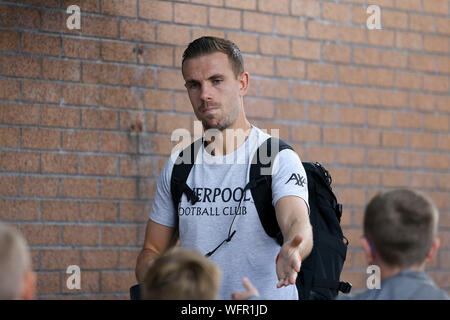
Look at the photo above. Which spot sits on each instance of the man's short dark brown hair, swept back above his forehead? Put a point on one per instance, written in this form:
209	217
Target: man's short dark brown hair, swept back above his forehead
207	45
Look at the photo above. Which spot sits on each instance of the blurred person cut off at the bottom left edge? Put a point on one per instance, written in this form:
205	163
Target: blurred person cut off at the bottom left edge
17	280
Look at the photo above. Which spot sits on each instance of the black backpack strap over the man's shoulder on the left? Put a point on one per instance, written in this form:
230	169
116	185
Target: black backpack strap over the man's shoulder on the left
180	172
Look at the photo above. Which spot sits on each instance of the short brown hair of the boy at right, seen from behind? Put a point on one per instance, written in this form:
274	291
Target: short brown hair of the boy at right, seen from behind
402	225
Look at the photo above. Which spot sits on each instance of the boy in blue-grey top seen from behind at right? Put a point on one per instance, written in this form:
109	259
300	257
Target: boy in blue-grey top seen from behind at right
400	236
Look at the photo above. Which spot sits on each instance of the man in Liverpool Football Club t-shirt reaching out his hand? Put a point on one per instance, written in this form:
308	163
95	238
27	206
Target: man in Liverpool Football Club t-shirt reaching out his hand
216	82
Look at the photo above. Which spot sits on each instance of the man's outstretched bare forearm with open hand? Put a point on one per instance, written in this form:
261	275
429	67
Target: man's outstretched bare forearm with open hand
293	219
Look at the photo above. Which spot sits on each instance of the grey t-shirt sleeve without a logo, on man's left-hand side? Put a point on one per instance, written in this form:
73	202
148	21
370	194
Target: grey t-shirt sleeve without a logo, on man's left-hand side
163	211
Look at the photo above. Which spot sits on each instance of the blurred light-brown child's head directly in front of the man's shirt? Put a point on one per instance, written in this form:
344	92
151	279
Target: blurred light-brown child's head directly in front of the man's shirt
181	274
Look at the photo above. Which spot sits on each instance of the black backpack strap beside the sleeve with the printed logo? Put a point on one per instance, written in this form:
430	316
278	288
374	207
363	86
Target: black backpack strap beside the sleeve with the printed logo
260	181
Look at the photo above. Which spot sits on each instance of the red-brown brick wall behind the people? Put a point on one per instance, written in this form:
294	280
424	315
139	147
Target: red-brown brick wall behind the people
372	105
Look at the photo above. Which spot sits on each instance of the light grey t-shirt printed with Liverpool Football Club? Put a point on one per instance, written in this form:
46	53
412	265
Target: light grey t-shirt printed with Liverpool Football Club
219	181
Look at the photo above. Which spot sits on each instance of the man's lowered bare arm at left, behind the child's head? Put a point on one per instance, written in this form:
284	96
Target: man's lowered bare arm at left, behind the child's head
158	238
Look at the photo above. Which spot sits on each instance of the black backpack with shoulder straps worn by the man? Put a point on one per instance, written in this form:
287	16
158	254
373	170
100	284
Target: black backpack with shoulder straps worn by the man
319	274
